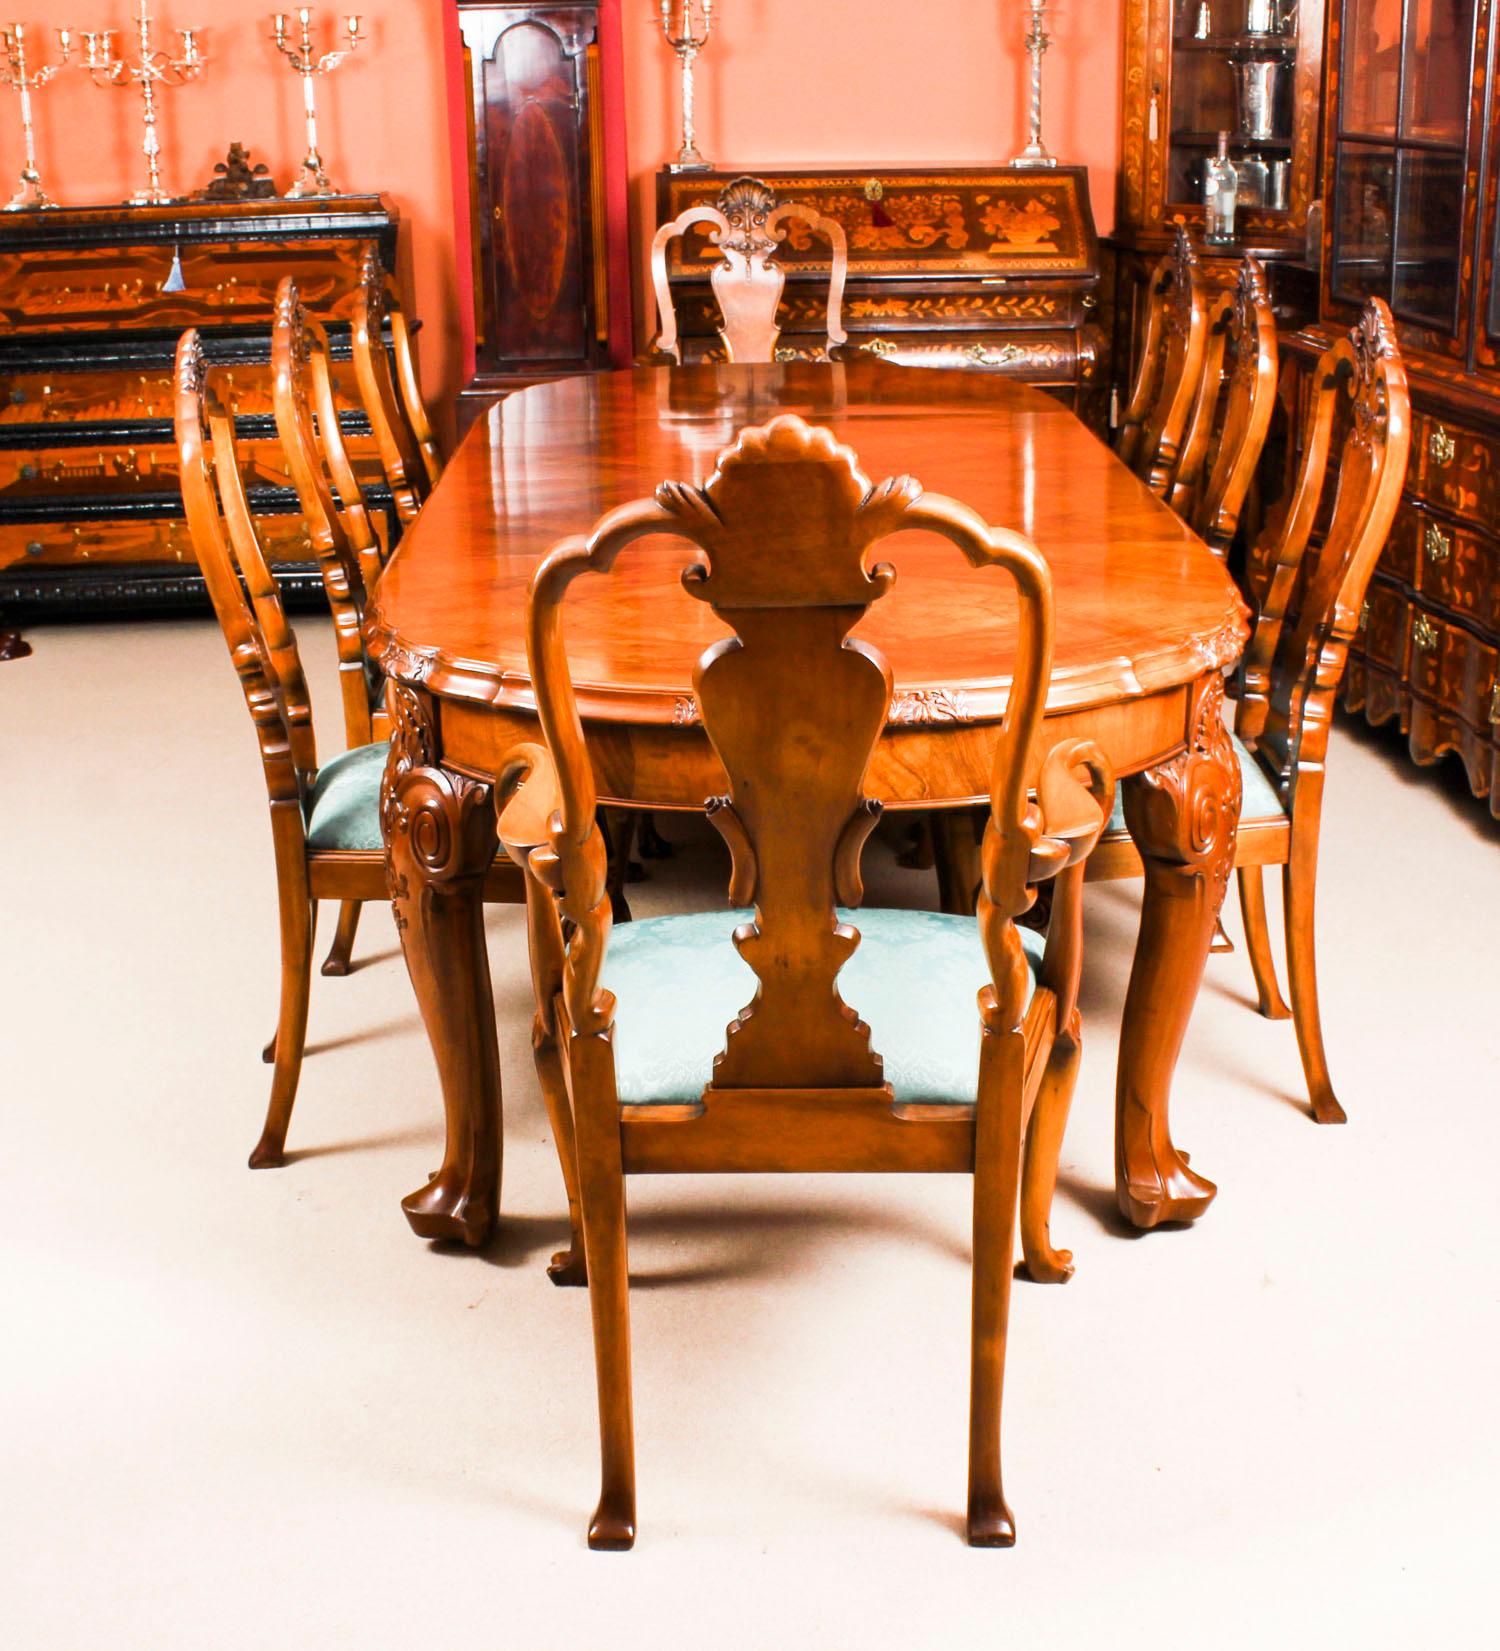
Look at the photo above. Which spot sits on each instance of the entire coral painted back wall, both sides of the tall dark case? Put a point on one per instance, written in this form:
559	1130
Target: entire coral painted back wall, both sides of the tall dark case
781	82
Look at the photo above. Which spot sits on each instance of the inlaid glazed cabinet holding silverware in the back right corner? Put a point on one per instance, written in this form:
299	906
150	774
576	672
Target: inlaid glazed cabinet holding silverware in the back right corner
1196	69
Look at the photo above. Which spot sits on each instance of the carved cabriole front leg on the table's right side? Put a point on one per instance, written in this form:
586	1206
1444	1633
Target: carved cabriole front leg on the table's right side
1184	818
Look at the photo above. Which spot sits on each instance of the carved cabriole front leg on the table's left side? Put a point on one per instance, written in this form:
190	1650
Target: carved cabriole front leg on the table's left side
440	831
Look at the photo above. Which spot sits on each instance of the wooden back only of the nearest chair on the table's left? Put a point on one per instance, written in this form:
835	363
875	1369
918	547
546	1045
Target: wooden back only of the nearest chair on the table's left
240	584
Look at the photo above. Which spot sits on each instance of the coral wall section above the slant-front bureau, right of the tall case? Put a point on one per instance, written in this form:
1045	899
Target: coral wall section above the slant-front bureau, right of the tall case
785	83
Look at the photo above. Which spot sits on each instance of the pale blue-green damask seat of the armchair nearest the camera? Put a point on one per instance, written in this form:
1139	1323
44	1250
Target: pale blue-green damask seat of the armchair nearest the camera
913	980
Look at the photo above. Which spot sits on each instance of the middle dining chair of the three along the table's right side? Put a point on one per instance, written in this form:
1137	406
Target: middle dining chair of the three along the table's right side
1232	410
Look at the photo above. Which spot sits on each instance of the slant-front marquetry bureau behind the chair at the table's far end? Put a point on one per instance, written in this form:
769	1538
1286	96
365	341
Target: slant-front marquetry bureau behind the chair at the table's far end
994	270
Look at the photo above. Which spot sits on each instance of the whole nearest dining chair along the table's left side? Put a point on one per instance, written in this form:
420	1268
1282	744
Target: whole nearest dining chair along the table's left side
324	821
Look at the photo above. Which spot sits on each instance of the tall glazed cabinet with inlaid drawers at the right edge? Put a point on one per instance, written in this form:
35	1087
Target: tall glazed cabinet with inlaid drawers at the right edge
1412	131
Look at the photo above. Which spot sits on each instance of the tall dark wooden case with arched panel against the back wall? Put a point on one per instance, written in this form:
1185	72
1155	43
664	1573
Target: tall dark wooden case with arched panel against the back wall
534	189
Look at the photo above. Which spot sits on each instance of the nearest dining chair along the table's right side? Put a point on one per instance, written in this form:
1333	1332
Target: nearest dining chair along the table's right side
1296	658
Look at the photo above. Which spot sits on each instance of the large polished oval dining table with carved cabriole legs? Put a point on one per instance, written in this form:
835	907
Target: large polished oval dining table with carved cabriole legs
1146	623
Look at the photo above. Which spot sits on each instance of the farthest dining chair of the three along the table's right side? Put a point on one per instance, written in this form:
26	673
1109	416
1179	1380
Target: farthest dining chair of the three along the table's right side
1169	369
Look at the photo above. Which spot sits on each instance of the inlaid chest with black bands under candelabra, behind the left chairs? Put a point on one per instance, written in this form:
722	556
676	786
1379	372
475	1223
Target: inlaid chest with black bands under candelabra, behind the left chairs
90	503
